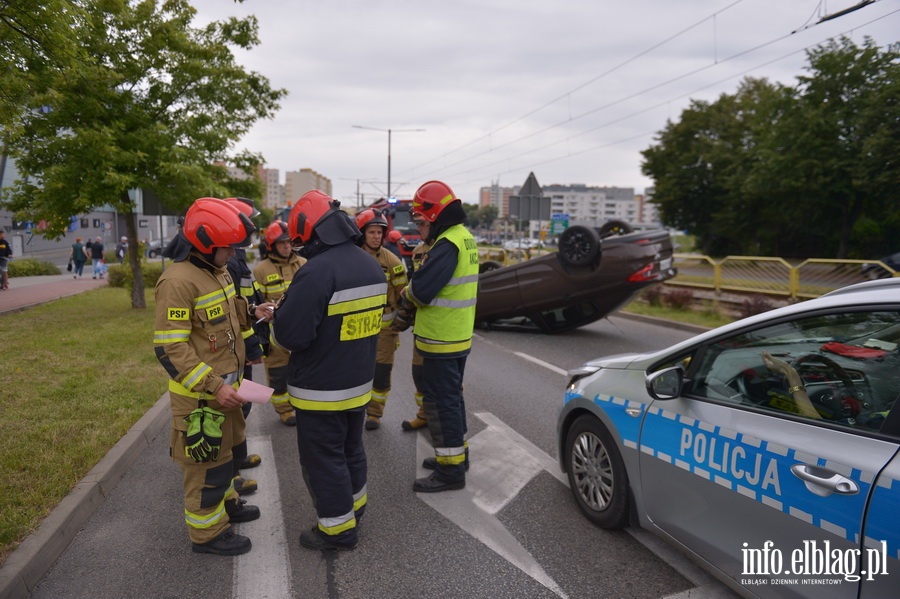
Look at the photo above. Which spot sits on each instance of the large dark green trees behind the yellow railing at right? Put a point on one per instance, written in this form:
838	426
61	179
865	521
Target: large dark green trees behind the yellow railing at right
790	170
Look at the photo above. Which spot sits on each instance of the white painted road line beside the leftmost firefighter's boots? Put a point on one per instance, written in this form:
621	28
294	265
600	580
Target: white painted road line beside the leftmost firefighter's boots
265	570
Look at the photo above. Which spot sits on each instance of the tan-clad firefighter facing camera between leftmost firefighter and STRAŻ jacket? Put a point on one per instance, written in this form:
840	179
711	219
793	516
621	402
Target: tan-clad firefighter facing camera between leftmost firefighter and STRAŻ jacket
274	275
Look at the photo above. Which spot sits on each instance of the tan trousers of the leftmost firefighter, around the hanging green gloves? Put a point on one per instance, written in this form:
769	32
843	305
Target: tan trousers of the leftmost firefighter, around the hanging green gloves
207	485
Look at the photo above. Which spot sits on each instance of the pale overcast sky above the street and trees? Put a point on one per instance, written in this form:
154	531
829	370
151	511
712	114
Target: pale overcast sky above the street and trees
572	90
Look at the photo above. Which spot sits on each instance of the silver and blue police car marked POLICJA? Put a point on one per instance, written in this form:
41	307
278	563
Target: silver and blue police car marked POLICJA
766	449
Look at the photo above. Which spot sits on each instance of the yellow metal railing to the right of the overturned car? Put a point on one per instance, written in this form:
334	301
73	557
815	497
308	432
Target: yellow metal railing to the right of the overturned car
771	276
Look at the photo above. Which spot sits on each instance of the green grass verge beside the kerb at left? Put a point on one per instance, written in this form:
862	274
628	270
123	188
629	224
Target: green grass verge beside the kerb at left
77	374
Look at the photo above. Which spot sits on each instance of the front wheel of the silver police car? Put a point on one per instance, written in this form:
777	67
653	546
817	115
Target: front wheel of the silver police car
597	474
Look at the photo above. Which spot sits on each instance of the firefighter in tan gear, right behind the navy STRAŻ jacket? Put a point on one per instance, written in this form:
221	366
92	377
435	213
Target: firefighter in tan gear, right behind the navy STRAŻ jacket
373	225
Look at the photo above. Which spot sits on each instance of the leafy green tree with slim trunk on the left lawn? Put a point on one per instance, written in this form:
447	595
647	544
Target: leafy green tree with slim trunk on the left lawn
151	102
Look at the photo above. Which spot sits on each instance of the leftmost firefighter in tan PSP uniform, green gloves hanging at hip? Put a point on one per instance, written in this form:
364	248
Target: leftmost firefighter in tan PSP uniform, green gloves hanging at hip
199	324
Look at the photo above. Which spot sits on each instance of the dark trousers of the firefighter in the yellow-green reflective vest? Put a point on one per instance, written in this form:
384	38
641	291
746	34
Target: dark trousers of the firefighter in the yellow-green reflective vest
445	412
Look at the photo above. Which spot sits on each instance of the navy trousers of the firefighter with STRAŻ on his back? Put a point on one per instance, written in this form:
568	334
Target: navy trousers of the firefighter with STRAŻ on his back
333	462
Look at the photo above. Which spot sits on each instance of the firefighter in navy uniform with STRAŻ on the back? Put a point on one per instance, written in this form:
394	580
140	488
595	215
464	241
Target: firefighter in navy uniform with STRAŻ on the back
329	320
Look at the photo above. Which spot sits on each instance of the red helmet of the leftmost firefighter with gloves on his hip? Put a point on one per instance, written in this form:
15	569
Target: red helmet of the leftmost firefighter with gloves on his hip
212	223
